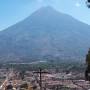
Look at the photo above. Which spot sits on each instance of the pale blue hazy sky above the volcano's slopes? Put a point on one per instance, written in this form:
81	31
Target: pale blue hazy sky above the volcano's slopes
12	11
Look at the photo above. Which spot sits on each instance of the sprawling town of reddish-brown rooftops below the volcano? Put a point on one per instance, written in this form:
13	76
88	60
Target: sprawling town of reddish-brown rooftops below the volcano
11	79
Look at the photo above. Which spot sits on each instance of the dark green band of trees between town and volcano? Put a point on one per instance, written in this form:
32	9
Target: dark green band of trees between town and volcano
51	64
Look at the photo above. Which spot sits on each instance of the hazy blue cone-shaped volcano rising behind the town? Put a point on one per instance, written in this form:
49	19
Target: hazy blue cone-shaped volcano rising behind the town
45	33
